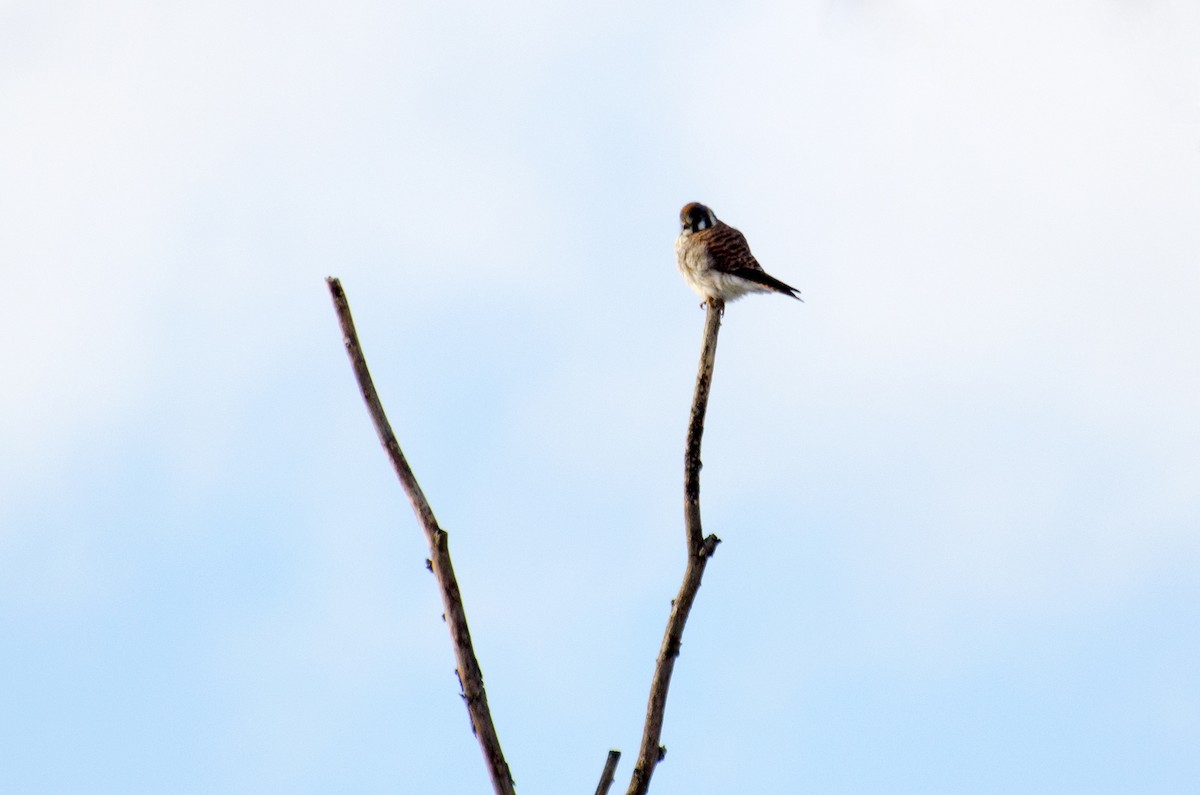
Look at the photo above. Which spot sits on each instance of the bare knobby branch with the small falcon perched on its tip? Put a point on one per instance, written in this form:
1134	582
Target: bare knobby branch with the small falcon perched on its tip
700	549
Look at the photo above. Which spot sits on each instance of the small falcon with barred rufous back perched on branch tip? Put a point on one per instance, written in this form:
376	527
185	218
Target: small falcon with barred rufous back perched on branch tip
716	259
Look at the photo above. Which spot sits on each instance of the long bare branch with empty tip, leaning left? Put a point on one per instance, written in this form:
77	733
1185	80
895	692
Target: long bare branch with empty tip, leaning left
471	678
